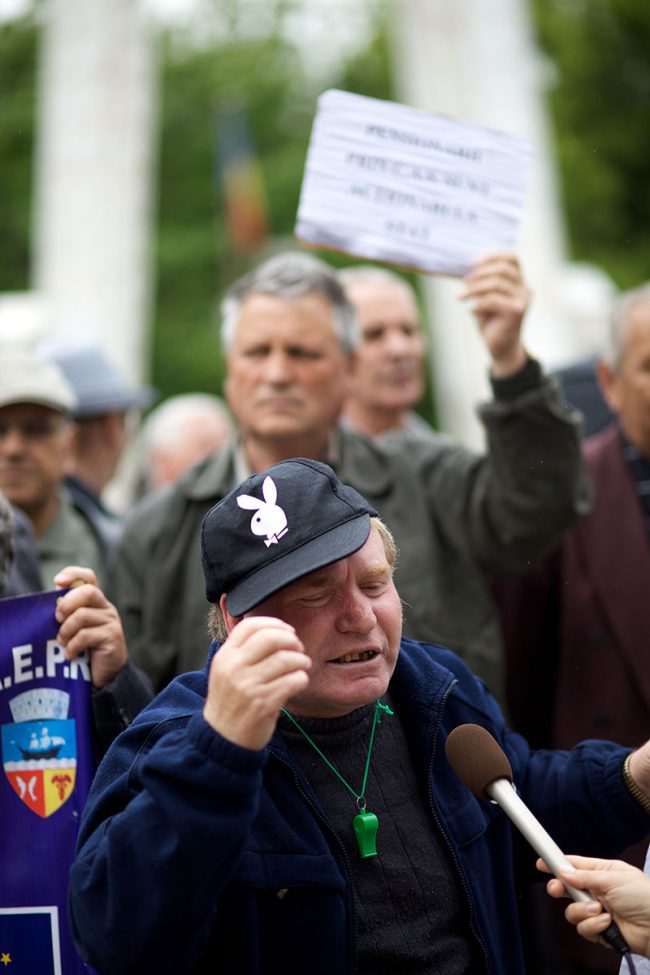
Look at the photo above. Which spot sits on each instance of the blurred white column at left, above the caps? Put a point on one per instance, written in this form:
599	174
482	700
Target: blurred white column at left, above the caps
93	194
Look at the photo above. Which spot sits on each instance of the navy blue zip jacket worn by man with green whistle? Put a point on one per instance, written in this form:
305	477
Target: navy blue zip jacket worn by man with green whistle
196	855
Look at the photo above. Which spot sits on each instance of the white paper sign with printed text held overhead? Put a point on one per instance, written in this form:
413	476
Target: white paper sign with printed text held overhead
396	184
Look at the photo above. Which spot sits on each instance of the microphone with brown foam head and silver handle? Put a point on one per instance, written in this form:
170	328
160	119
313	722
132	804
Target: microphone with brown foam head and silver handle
481	764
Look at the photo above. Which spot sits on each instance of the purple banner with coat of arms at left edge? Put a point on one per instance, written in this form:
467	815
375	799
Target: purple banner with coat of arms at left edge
47	759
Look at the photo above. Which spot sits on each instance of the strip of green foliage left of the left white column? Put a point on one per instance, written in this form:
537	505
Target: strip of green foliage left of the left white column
18	39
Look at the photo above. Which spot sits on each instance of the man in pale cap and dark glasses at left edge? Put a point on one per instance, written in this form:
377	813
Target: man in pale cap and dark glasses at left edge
36	435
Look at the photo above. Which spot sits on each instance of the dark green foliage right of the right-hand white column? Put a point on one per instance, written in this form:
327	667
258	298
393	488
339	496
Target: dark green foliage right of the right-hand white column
600	104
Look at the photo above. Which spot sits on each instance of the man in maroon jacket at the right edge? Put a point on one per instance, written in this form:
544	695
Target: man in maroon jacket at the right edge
577	627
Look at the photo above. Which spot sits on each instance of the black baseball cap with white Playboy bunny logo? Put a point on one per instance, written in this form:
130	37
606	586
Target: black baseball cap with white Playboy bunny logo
277	526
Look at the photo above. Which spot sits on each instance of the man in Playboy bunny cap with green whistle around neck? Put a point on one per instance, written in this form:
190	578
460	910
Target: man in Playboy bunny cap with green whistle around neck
290	808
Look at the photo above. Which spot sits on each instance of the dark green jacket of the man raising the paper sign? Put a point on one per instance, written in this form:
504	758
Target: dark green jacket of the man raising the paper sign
455	516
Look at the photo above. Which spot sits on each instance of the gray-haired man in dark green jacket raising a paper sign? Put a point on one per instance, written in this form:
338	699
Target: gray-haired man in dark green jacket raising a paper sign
289	335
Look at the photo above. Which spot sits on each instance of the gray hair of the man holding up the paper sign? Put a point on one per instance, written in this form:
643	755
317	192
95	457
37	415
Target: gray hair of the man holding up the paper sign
290	276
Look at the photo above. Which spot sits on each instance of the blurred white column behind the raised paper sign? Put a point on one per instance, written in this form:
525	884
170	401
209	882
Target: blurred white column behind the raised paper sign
476	61
